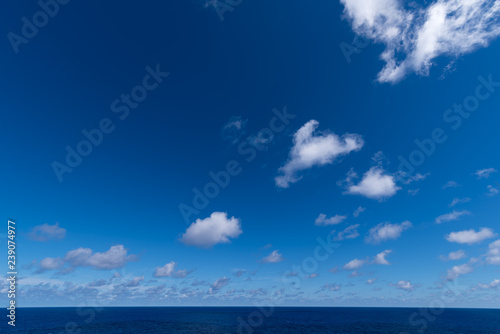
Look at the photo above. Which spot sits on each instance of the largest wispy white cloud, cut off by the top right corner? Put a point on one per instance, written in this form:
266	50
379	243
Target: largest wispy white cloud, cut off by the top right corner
415	37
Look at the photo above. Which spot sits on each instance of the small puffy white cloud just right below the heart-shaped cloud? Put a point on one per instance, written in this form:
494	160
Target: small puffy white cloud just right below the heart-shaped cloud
375	184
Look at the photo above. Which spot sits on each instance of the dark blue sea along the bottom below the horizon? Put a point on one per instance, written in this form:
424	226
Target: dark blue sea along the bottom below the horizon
187	320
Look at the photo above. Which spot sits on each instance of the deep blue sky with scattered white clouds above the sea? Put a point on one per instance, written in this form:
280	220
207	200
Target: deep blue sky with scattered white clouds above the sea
345	153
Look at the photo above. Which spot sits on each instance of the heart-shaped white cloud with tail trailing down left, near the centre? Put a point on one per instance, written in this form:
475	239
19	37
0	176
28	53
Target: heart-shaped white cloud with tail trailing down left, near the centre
311	149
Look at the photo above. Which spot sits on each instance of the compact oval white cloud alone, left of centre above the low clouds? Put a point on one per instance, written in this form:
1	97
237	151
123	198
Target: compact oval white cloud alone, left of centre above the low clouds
213	230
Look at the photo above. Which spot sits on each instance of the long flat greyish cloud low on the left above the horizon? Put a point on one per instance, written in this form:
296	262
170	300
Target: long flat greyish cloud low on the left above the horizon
115	257
